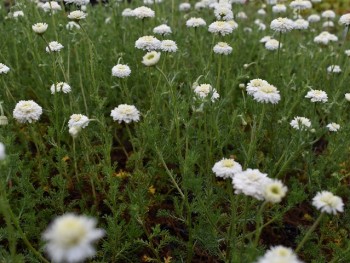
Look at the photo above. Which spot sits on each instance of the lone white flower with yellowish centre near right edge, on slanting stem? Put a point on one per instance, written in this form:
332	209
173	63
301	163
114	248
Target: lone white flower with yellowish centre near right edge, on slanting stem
328	202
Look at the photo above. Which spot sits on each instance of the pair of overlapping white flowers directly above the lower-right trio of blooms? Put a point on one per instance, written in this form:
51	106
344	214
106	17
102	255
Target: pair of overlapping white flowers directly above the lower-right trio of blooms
263	92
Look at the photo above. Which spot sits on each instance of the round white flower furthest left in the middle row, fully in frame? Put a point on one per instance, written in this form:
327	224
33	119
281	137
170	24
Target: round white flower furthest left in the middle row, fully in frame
27	111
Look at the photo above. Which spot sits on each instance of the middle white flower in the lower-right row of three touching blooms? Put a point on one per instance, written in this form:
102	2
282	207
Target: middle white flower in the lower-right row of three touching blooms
250	183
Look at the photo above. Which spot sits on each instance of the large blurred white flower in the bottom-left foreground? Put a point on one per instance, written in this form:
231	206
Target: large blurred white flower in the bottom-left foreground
69	238
